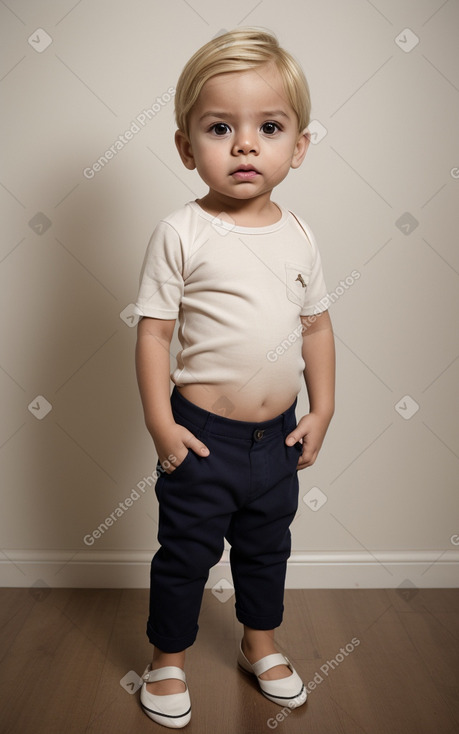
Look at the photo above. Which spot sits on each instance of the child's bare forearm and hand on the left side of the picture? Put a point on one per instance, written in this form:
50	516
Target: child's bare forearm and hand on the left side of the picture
172	441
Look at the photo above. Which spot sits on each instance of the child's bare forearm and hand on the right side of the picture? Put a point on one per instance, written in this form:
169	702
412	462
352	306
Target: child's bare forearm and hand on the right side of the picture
319	375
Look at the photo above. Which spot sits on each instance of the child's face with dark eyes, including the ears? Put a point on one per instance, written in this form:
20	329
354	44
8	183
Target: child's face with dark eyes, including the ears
243	134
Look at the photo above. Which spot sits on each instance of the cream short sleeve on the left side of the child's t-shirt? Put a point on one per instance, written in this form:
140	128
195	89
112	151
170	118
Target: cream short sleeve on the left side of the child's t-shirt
161	280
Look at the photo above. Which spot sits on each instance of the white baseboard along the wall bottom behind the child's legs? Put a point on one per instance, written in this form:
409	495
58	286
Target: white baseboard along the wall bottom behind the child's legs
306	570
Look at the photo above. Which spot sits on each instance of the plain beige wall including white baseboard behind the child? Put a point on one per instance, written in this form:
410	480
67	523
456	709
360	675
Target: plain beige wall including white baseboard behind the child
391	114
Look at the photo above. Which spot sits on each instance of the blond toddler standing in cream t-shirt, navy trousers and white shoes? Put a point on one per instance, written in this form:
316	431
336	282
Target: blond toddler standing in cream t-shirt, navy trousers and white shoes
243	276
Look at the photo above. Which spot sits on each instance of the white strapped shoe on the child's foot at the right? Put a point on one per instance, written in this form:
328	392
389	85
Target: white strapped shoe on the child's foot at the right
288	691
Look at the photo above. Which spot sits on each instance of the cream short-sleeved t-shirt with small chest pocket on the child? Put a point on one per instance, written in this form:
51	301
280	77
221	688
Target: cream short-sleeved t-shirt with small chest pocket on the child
238	293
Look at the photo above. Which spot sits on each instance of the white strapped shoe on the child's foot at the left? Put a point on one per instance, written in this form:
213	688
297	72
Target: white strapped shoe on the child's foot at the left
173	710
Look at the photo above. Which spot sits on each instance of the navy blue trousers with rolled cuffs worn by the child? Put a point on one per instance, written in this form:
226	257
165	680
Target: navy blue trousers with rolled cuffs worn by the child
246	491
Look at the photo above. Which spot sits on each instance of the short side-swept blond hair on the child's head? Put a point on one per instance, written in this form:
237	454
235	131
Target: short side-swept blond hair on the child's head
240	50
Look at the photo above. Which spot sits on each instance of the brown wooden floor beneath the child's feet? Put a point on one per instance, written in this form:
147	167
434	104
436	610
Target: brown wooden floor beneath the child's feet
64	651
